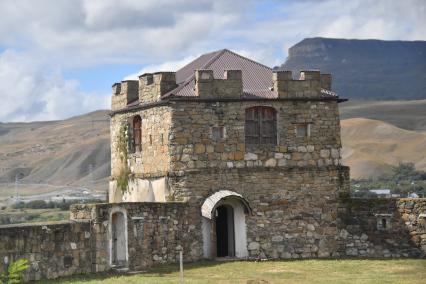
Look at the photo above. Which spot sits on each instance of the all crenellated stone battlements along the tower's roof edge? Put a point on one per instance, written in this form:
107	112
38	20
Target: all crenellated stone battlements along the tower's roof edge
152	86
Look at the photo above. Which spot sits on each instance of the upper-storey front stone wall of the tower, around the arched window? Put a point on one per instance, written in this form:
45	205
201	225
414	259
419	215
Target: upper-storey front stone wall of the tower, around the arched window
193	147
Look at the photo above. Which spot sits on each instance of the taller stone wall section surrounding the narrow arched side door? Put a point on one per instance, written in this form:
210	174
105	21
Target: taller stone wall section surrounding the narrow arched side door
156	231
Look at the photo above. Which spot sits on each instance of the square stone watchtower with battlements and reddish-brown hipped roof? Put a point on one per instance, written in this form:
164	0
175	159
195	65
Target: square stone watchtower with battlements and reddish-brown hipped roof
255	153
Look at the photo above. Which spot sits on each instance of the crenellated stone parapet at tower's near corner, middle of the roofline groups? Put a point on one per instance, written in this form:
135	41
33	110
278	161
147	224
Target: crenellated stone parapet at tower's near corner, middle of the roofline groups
206	86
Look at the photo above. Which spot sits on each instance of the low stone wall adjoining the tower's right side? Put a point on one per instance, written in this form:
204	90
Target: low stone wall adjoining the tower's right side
364	235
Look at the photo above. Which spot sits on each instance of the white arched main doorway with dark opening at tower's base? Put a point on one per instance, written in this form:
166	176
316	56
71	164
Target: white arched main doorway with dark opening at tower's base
224	225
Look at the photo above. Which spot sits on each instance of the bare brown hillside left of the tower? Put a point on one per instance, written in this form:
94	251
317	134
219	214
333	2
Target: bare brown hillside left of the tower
75	151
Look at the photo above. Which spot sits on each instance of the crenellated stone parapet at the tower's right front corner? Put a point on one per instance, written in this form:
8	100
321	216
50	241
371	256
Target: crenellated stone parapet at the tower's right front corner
308	85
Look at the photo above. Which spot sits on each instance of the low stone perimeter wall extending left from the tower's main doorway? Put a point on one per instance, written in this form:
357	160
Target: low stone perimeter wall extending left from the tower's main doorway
156	234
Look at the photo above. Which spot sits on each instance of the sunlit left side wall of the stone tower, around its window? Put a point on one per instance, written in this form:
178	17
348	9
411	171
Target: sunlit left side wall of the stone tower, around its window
151	162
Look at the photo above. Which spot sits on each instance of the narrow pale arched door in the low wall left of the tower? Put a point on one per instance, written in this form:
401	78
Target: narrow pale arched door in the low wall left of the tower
118	238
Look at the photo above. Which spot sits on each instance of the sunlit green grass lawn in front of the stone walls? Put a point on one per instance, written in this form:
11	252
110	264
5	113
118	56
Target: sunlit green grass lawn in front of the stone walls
292	271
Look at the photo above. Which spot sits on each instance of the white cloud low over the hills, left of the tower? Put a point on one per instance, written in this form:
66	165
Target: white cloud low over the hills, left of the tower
29	92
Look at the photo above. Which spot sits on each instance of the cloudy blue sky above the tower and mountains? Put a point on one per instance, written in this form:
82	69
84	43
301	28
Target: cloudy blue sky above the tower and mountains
59	58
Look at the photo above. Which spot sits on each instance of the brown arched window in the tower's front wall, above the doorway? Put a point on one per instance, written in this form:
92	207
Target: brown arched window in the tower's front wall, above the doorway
261	126
